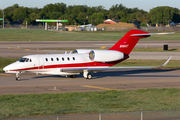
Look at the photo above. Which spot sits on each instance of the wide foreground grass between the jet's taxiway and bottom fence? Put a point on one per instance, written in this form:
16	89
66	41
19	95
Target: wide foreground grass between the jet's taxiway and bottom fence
89	102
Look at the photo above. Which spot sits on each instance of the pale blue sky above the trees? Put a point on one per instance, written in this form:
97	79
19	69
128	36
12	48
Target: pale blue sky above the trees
141	4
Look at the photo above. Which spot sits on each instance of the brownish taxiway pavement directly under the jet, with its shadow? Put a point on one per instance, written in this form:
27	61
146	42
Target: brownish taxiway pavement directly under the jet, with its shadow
109	80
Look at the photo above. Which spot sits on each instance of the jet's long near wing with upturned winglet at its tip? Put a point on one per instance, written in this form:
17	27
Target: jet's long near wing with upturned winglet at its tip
96	69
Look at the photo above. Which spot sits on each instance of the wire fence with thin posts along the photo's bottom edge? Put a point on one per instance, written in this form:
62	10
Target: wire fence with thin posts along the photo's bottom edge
142	115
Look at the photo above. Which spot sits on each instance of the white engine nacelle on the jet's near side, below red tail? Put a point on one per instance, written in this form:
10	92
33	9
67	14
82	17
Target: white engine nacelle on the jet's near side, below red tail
105	55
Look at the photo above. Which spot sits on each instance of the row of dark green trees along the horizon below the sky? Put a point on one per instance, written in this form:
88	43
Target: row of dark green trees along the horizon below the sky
82	14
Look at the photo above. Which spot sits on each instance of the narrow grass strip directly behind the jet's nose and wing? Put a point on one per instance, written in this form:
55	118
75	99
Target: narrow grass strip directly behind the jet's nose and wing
130	62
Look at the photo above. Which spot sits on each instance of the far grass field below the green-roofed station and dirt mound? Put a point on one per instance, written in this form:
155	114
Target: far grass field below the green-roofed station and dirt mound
42	35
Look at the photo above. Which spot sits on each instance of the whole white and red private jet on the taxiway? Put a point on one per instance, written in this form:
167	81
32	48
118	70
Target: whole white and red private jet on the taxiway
85	61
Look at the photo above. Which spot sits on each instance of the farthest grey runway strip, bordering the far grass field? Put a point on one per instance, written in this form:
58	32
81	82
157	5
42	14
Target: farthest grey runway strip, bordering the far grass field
81	44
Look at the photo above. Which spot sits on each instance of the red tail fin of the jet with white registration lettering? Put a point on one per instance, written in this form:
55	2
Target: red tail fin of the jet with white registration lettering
129	40
